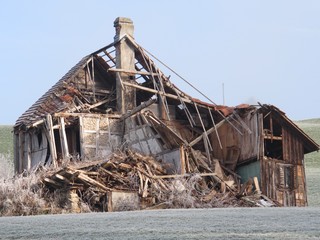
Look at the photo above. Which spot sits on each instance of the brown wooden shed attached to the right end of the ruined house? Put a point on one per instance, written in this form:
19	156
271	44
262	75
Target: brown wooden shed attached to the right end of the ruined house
272	148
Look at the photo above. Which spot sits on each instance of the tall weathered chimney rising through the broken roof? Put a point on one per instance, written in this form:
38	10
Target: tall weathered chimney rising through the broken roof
126	96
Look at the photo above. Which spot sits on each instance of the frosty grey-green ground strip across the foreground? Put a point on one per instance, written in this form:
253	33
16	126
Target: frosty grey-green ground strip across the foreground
226	223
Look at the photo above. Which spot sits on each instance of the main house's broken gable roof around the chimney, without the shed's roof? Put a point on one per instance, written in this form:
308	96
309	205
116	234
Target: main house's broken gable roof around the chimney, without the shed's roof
58	97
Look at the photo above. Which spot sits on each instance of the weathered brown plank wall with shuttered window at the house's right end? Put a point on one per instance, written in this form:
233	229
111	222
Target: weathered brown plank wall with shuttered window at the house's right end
284	179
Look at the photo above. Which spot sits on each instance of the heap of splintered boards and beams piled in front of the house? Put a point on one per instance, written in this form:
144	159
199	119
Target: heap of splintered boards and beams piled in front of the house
132	172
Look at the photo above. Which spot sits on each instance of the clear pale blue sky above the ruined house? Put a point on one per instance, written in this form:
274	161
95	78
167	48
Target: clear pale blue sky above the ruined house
234	52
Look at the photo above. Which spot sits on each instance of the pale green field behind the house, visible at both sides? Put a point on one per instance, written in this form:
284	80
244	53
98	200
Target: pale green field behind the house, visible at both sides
312	160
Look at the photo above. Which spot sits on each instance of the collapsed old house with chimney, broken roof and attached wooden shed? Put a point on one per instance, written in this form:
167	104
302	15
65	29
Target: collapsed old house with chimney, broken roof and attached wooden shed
116	98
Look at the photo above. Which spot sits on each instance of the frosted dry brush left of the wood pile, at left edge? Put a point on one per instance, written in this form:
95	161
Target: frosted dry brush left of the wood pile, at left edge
26	195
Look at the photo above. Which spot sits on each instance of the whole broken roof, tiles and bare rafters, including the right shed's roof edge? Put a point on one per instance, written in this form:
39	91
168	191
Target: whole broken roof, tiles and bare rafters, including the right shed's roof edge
149	80
